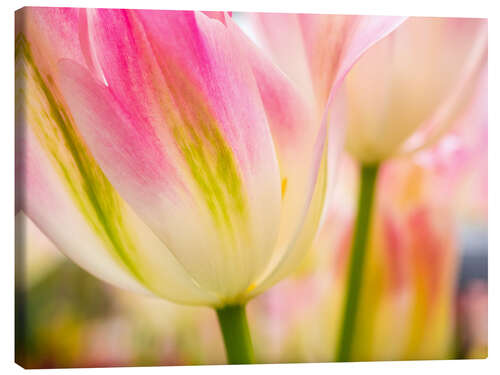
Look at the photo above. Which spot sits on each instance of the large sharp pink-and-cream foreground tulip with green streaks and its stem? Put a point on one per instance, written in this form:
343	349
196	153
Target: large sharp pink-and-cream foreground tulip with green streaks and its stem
165	154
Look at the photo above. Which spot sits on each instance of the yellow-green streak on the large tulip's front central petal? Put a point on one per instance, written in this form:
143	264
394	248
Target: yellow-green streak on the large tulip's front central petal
210	160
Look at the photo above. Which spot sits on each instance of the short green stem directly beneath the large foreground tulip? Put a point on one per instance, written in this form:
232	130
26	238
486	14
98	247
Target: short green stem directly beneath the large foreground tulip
234	326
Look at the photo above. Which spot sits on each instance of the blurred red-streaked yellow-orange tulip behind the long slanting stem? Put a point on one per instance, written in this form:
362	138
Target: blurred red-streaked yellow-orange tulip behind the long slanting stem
406	305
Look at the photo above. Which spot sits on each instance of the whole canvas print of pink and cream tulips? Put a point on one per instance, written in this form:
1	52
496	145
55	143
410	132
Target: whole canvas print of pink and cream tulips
199	188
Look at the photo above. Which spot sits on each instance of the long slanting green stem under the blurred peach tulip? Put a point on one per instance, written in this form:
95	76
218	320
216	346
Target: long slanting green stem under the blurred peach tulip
356	262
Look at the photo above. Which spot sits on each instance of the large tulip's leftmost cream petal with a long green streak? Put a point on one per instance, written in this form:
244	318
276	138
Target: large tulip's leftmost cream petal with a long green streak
66	194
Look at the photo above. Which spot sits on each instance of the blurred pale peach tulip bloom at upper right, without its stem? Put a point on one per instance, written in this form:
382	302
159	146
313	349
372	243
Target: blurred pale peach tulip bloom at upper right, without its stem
415	81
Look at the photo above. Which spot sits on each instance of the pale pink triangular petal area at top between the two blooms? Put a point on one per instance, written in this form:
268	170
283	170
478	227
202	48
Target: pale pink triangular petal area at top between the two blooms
320	49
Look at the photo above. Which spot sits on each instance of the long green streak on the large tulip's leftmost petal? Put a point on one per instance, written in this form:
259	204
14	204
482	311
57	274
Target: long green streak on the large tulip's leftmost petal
89	188
